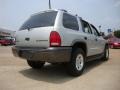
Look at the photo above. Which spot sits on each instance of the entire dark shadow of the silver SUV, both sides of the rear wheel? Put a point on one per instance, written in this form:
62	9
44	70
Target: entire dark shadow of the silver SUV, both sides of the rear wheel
56	73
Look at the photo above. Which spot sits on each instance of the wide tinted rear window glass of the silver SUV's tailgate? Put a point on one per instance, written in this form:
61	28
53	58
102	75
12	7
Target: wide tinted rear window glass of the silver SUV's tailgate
40	20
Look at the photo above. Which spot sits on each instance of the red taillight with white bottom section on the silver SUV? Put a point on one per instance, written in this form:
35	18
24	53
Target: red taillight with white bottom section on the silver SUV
55	39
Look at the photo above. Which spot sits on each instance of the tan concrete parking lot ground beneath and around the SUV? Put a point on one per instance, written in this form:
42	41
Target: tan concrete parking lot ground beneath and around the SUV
15	74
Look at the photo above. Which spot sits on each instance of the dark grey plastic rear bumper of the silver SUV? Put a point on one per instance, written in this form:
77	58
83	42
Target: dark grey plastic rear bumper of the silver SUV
52	54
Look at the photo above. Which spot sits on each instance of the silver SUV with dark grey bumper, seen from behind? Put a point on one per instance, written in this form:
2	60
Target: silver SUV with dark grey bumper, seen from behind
56	36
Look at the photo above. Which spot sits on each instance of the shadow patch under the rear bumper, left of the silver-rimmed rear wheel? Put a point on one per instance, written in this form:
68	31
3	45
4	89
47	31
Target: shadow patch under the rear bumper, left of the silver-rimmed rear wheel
50	73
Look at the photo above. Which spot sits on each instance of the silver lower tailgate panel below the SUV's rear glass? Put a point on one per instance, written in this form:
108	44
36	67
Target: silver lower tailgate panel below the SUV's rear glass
37	37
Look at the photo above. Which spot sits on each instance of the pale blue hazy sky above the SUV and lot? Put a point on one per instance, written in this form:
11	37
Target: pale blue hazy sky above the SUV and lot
106	13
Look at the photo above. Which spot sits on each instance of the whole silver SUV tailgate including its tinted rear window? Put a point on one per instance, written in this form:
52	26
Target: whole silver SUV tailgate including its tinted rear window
36	30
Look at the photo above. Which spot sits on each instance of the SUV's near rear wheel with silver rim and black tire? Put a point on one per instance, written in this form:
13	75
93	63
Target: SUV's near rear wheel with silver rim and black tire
76	65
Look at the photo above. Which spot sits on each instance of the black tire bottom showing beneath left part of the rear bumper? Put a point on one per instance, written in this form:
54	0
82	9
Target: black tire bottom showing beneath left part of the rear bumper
35	64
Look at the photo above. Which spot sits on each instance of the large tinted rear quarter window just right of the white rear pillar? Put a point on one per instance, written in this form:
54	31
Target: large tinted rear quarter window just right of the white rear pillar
70	22
